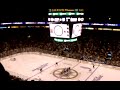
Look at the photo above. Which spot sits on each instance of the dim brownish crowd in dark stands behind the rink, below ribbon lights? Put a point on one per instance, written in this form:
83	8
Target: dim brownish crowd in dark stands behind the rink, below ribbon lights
91	46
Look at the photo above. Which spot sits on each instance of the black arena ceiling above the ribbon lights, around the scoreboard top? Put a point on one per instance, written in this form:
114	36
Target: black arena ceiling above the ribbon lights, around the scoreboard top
35	11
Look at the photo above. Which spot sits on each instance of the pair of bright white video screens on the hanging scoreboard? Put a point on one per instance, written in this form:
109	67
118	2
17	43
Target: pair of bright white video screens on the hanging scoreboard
62	30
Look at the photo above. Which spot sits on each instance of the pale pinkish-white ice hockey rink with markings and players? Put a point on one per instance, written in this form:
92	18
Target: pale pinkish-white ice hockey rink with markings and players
27	66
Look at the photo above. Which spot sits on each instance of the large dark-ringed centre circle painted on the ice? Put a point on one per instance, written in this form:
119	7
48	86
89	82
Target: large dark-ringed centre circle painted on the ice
65	75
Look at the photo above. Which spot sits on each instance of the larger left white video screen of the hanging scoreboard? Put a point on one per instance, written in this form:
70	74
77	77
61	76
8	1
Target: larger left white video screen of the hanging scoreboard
59	30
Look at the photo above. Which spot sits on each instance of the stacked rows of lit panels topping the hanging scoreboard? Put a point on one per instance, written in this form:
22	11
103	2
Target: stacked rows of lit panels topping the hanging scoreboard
74	15
